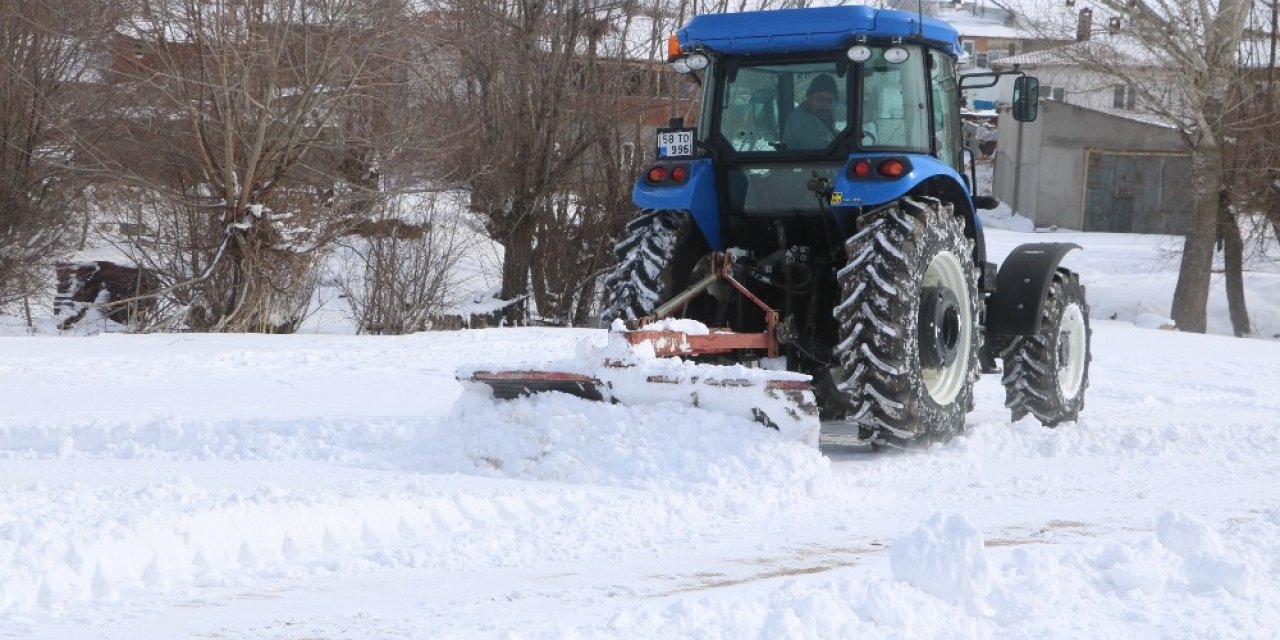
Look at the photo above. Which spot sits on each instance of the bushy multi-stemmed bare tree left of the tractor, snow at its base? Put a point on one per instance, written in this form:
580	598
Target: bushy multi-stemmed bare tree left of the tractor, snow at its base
259	113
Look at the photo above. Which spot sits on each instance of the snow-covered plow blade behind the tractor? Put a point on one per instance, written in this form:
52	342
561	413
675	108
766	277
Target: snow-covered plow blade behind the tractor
780	400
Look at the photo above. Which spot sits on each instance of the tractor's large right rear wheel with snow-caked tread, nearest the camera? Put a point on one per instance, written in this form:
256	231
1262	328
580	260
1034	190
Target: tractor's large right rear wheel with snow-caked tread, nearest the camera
908	321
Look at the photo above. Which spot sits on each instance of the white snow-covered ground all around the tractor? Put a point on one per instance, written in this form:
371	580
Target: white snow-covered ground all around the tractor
331	487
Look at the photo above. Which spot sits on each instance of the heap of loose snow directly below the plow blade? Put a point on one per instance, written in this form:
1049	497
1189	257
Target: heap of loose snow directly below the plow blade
554	437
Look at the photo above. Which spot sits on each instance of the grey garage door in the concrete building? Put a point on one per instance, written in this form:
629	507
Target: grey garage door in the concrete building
1137	193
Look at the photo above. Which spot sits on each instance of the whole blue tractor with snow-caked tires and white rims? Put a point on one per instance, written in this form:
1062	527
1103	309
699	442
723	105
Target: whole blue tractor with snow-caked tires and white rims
821	213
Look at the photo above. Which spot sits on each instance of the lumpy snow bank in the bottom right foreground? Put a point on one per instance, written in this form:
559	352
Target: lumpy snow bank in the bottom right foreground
943	569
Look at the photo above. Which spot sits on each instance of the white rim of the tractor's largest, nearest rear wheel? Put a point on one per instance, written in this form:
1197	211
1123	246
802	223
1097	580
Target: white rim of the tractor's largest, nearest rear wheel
944	382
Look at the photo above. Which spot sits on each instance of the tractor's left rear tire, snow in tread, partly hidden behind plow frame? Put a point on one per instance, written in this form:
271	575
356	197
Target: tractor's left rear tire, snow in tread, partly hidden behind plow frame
642	278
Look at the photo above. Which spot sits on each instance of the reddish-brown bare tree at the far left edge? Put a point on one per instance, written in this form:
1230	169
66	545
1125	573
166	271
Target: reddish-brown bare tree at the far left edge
48	53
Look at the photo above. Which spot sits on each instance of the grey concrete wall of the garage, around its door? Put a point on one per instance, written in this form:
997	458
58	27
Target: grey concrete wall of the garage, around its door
1052	154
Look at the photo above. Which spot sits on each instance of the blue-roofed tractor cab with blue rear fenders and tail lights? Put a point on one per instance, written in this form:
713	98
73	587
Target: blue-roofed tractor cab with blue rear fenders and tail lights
813	115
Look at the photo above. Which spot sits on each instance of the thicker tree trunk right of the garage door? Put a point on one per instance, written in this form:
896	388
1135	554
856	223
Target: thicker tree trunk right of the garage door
1191	295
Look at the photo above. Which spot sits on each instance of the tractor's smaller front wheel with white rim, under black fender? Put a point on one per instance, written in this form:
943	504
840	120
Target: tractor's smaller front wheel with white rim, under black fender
1048	372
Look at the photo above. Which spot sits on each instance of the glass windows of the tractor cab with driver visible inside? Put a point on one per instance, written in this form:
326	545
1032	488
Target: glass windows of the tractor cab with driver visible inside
775	124
